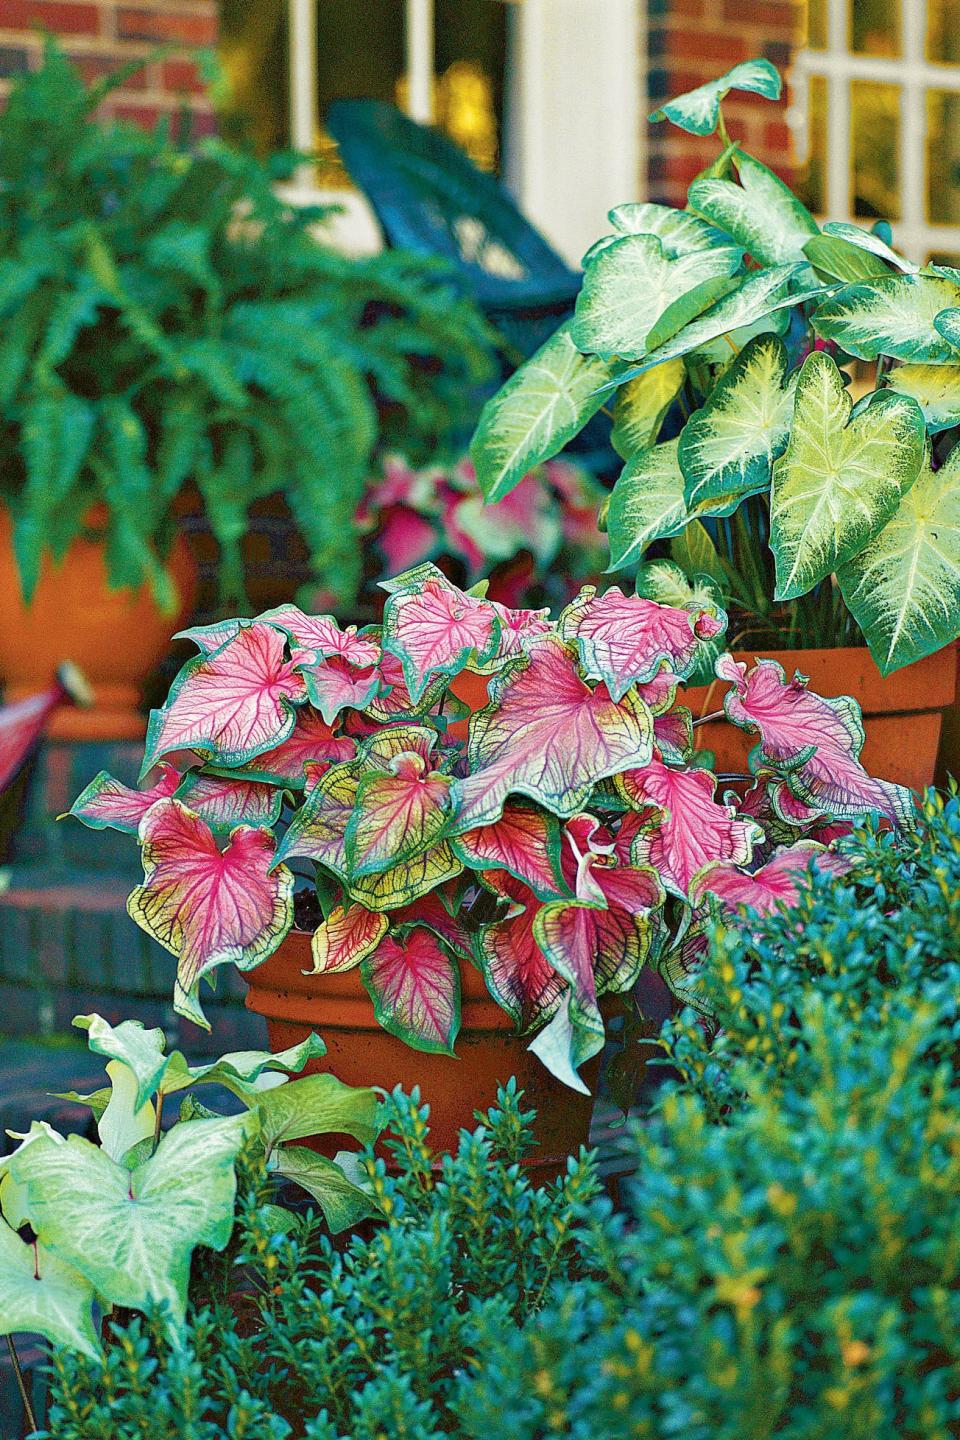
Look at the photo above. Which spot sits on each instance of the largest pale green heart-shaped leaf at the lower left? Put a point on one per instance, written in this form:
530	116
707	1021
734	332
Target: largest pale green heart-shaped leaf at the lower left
132	1233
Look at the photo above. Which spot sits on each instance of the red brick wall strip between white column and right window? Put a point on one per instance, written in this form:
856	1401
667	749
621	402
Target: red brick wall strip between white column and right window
696	41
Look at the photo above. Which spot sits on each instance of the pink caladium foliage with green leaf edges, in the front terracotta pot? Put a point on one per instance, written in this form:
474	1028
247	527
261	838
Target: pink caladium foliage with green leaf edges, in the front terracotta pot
569	840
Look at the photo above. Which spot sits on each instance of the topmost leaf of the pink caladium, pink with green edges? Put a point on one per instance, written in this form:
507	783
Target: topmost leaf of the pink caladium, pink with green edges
434	629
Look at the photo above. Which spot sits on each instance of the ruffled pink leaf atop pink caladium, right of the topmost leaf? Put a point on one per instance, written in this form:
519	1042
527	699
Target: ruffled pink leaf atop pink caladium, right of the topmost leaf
624	639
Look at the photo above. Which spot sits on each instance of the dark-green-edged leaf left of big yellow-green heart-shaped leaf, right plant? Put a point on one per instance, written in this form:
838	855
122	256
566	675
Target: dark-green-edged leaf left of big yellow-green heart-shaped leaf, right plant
729	447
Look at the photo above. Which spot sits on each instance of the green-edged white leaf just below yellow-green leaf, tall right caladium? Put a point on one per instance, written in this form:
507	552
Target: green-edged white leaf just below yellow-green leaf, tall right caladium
647	505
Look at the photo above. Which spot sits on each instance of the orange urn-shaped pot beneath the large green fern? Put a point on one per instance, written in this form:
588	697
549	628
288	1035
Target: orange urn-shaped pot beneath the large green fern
114	637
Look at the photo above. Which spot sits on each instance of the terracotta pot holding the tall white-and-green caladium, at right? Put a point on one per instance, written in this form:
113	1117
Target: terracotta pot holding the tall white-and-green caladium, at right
903	714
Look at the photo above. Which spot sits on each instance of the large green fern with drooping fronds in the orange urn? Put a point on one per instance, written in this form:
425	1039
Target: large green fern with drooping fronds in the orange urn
168	322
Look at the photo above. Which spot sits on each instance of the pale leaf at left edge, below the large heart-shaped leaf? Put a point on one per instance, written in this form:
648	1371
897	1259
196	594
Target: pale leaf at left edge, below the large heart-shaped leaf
44	1295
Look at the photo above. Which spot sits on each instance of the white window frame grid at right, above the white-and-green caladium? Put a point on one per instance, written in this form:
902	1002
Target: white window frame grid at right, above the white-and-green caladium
915	77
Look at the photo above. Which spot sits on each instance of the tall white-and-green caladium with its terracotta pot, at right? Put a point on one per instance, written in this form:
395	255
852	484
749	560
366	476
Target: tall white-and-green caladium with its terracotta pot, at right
823	515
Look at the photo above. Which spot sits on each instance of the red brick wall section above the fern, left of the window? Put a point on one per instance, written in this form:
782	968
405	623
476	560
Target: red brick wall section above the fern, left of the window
100	35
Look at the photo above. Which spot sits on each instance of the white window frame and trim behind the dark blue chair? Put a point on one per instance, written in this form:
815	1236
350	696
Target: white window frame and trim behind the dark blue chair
576	100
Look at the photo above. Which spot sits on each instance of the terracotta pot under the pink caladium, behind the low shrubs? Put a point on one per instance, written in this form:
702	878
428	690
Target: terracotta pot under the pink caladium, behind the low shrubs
362	1053
